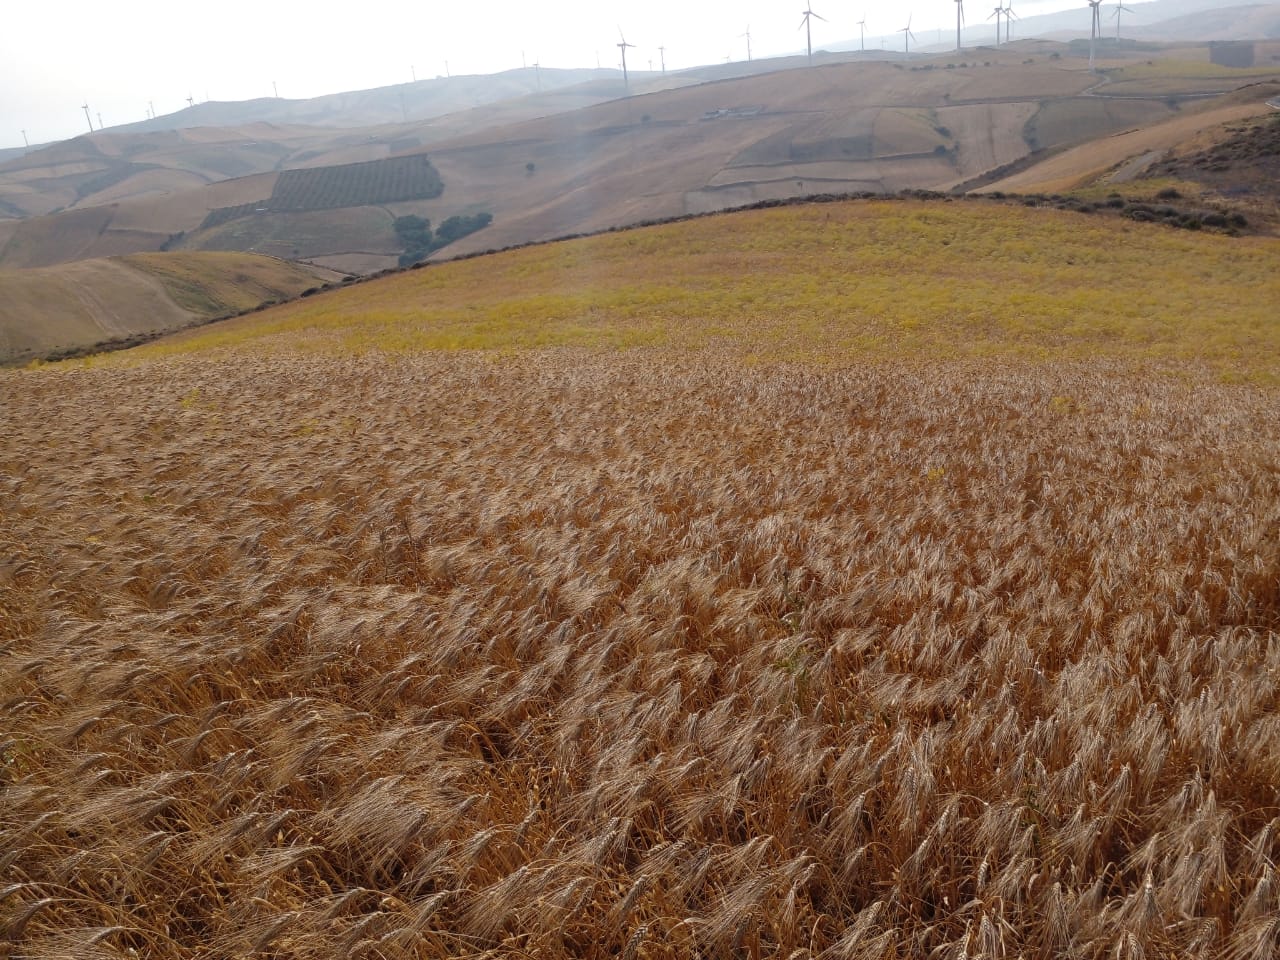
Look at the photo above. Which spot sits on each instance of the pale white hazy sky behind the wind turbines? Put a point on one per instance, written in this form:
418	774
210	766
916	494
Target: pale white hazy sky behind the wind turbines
117	57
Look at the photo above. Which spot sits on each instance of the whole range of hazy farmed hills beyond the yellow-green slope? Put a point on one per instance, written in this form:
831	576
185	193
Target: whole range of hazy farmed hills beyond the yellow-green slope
579	159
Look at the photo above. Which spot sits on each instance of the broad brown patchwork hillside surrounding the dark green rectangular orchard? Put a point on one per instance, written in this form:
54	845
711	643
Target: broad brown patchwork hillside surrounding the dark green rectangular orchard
843	127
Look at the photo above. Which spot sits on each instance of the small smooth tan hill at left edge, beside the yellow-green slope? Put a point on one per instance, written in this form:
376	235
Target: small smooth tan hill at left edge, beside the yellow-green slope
75	307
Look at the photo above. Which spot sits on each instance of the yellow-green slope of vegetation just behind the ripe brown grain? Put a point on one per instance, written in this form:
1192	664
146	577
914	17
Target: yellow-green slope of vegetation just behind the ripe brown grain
830	284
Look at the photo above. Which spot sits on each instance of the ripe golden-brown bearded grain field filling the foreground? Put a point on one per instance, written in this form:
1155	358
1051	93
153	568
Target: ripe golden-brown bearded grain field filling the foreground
648	653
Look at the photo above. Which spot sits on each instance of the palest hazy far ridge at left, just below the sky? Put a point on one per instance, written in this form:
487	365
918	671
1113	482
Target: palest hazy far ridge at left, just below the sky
213	143
